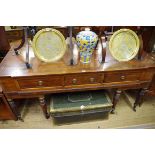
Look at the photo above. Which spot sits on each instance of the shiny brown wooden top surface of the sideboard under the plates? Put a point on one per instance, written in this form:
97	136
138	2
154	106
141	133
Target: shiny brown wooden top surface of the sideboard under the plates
14	66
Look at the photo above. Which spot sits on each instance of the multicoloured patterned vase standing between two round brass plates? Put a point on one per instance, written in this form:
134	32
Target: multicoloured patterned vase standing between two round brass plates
86	42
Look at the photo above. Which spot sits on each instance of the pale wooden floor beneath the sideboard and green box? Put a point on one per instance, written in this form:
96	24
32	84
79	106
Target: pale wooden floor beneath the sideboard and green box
124	117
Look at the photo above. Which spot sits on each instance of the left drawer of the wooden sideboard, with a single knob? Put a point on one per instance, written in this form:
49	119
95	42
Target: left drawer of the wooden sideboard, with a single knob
54	81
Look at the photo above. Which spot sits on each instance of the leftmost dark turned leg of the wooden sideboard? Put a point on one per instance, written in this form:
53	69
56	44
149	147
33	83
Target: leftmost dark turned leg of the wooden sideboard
14	109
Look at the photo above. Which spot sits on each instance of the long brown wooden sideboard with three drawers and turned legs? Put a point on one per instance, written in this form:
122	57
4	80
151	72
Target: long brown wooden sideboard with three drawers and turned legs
45	78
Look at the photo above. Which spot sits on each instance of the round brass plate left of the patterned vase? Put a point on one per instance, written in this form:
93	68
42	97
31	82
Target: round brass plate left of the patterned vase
49	45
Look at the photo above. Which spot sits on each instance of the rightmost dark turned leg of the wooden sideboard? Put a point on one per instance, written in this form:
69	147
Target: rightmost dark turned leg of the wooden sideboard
140	97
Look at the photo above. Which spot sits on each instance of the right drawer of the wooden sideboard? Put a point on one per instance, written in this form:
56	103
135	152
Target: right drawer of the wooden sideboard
122	76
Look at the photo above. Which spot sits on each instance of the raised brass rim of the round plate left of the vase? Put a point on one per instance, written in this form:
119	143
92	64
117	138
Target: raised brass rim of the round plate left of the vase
39	56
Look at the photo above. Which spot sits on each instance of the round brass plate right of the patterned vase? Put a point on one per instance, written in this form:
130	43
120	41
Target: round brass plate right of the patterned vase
124	45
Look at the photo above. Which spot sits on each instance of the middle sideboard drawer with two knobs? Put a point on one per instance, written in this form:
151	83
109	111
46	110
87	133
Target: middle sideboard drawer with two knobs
83	79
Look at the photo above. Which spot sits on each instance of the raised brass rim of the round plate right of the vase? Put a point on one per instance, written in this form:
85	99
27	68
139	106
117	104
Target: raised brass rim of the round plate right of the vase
134	52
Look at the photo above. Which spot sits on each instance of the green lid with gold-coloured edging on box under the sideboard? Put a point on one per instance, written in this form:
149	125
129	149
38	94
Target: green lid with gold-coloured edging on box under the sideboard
77	103
